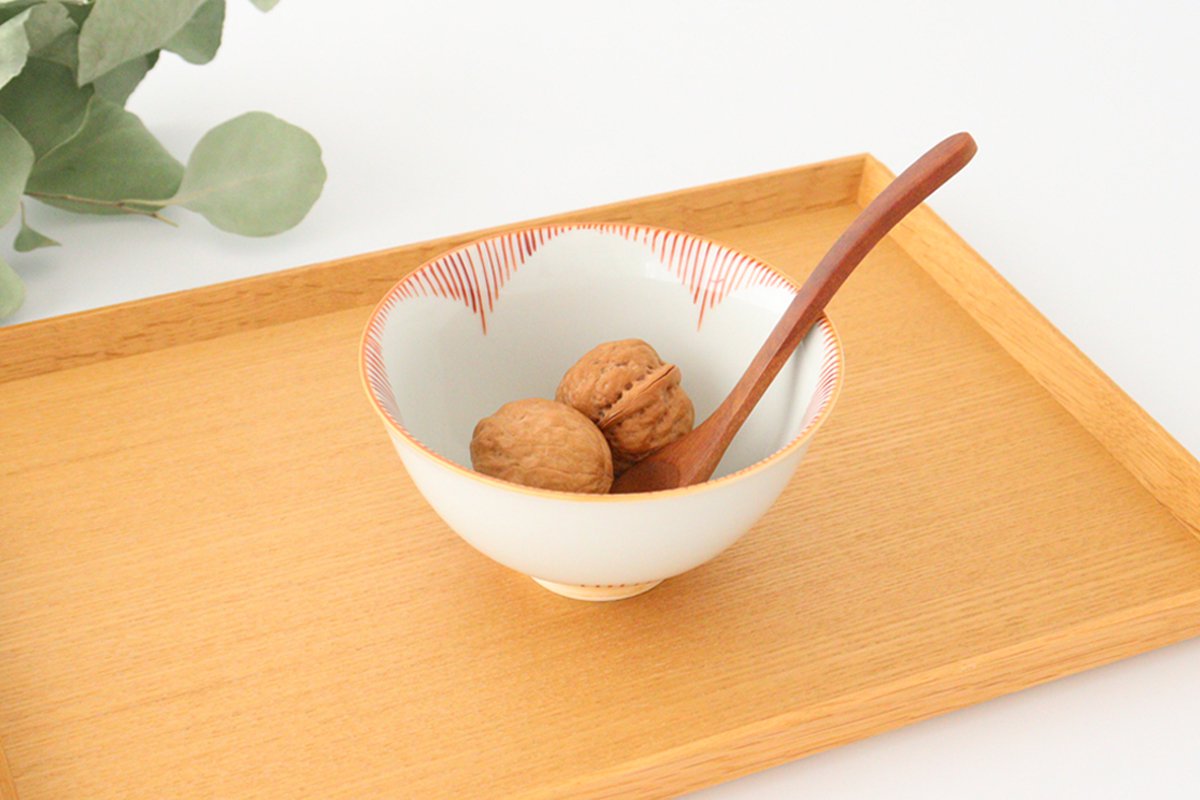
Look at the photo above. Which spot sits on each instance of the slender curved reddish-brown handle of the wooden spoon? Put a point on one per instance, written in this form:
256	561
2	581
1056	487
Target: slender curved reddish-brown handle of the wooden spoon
904	195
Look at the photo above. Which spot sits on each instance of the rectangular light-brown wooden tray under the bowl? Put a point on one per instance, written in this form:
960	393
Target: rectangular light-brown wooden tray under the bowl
218	582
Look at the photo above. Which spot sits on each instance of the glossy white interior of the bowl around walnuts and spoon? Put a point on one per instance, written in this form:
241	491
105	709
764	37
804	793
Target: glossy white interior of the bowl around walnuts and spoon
505	318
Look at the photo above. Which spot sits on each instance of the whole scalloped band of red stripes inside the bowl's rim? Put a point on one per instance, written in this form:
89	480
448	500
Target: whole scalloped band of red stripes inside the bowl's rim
476	274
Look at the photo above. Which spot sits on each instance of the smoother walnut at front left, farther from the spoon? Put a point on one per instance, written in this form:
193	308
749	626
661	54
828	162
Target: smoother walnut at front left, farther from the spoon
543	444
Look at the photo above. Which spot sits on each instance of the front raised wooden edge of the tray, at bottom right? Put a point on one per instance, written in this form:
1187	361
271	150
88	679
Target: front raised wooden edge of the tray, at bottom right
794	736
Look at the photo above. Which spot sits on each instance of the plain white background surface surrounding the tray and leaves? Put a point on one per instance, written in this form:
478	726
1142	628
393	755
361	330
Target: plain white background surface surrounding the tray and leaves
441	118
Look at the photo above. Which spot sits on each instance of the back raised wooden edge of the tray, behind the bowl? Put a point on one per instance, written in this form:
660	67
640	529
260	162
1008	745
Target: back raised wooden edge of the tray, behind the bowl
87	338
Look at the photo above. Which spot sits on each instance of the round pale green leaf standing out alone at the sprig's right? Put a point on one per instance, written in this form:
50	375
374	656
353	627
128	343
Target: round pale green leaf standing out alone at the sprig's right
255	176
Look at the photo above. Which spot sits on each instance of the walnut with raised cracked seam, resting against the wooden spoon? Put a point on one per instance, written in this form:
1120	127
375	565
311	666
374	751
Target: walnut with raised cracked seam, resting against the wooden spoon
632	395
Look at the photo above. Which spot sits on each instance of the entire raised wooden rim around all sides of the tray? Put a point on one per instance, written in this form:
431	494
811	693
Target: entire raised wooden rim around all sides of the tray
1161	465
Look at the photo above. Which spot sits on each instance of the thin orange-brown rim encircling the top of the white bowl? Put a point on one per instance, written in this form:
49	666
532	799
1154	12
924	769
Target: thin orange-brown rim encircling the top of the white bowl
383	306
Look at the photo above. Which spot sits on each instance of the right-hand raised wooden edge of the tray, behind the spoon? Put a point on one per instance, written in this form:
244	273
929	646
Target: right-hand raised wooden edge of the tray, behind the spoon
1142	444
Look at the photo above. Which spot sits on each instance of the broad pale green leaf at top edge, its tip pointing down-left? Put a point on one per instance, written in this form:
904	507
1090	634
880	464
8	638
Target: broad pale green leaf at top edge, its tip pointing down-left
119	31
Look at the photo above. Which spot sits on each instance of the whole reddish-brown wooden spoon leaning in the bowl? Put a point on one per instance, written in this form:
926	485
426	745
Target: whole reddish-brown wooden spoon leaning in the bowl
693	459
